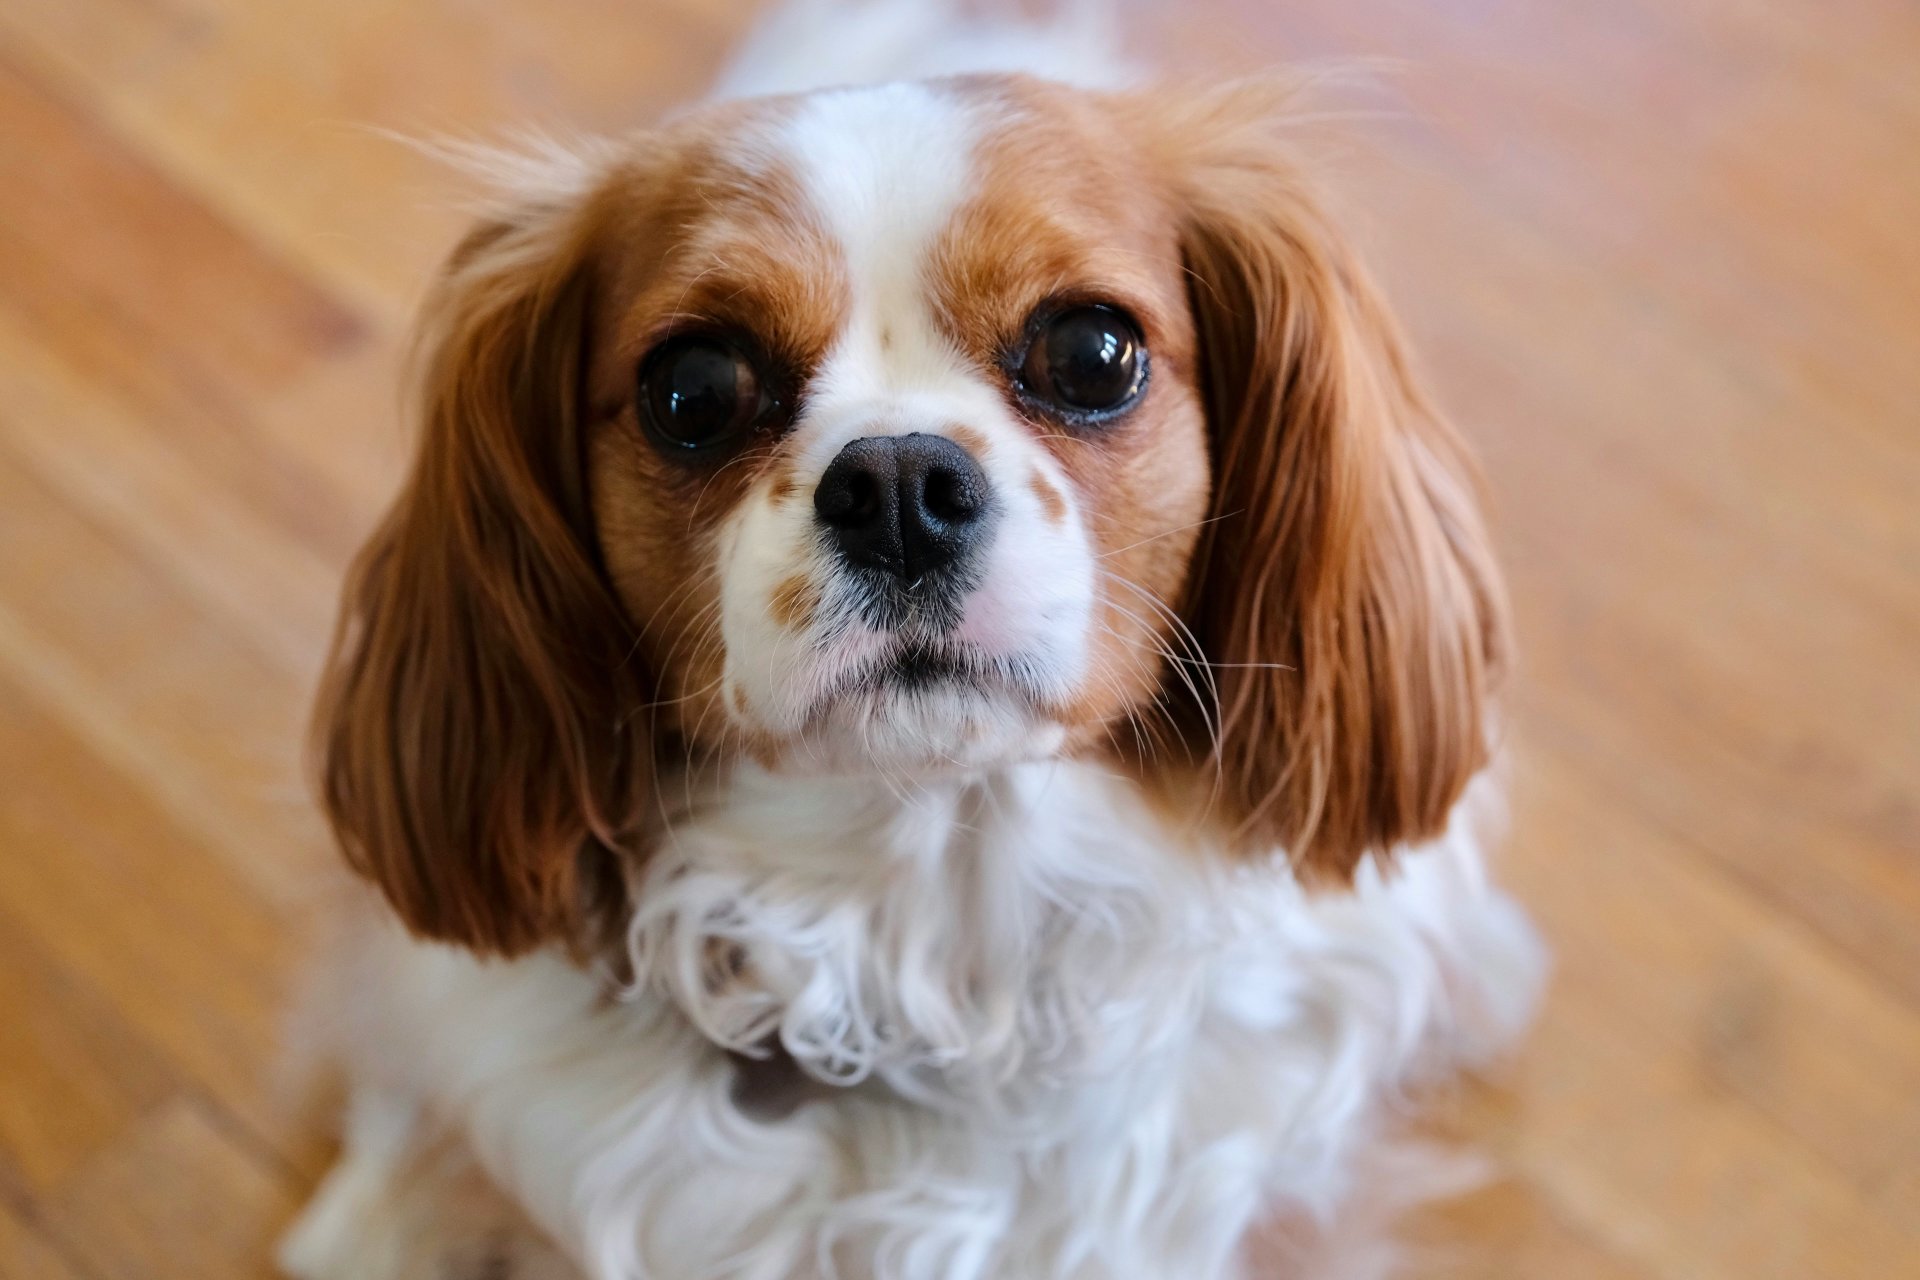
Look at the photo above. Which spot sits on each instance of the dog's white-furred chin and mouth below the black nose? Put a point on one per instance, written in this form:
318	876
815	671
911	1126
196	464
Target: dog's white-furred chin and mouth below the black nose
926	711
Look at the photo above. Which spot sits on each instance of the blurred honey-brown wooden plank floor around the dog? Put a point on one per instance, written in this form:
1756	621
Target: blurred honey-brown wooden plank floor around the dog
1662	256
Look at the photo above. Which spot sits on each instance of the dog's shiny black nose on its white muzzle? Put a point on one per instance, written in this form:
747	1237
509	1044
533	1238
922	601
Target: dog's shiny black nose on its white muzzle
907	506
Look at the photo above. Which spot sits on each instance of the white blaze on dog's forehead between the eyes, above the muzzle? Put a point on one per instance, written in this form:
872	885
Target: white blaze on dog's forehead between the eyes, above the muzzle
884	170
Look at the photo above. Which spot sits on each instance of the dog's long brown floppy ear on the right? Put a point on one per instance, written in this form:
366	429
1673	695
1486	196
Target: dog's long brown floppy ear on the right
1345	588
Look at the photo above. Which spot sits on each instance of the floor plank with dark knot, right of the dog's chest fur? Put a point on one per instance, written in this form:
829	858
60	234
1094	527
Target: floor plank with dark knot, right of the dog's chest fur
1716	985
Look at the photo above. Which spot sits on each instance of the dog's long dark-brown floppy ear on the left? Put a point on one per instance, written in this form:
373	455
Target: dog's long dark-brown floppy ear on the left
469	726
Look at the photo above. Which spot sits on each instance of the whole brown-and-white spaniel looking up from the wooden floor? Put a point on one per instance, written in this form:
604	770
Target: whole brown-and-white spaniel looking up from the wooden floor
924	711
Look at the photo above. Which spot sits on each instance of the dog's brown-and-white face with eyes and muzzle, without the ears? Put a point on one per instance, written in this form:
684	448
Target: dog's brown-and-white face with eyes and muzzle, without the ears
898	458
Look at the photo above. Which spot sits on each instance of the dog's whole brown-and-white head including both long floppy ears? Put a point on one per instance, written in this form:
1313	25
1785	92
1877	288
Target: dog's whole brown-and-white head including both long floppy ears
909	429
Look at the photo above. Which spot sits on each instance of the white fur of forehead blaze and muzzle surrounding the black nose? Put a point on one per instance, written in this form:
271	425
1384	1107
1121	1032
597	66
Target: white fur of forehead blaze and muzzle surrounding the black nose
882	174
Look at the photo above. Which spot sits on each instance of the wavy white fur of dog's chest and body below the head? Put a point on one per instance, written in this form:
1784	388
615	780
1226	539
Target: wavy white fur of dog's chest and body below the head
1061	1041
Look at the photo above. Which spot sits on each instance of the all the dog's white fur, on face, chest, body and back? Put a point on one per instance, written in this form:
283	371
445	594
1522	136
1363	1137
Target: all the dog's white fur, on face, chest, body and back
1053	1037
